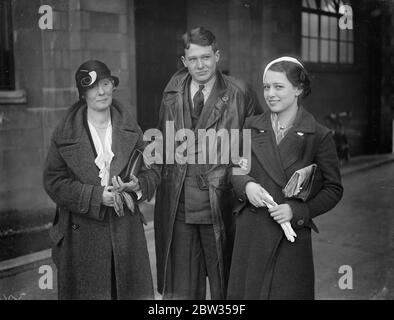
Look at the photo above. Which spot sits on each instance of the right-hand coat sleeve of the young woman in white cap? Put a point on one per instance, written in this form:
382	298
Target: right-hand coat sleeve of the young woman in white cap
331	191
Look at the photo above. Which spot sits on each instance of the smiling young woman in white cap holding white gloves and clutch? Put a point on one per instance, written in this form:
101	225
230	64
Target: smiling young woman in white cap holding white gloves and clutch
265	265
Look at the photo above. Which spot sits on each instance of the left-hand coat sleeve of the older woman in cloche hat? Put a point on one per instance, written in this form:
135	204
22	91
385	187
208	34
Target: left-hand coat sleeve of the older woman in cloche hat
66	191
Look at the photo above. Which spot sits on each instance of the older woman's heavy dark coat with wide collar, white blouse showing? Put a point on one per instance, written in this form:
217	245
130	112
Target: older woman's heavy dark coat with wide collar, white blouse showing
96	251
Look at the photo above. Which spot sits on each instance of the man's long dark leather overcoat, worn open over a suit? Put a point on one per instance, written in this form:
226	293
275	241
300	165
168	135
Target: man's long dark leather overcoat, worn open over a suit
230	102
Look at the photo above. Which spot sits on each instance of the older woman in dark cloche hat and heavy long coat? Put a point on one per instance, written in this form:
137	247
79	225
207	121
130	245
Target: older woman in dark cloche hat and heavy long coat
100	252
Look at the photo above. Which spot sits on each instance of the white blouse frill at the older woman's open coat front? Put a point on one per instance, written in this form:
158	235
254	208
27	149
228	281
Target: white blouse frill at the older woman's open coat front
104	153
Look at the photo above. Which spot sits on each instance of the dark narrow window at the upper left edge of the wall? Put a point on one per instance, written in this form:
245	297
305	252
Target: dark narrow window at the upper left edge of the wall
6	47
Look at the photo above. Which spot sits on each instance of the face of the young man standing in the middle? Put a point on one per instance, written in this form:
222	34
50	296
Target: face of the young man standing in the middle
201	62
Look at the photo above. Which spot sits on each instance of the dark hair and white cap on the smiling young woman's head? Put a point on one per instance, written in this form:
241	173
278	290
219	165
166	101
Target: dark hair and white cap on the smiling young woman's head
296	74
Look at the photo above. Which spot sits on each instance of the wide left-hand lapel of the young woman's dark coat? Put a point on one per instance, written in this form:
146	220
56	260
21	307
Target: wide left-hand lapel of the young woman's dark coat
265	149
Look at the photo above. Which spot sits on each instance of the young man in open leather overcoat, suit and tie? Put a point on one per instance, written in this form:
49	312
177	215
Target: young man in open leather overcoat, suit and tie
193	219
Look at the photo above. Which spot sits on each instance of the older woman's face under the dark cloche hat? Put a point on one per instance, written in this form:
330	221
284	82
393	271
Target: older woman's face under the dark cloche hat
99	97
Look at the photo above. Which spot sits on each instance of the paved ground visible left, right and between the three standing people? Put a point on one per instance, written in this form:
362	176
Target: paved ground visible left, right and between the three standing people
357	234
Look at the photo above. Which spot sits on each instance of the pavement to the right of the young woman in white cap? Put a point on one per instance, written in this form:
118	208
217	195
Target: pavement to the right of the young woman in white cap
358	233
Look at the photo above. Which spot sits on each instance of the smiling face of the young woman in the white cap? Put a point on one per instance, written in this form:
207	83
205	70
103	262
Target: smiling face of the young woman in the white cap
279	93
